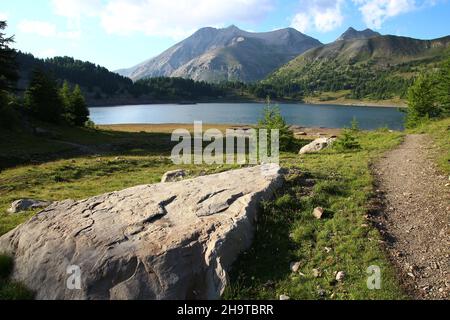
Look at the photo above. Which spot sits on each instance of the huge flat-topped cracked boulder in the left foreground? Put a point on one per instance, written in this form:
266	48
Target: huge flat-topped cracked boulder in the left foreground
163	241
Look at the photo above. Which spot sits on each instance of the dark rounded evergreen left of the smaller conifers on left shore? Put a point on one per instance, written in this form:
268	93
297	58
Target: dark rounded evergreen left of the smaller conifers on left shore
42	98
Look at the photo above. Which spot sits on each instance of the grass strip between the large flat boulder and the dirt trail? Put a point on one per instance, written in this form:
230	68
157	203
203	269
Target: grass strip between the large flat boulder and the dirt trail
342	184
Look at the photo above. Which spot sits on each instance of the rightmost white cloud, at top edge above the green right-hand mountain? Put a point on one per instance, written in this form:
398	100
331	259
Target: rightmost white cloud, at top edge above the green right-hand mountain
376	12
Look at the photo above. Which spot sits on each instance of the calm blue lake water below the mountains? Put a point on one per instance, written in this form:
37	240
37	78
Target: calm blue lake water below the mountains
329	116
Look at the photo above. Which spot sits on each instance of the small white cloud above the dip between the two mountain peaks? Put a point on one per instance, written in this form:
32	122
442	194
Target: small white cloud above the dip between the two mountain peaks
321	15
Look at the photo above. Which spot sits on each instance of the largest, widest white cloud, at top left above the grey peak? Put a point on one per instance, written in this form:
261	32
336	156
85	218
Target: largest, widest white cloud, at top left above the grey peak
163	17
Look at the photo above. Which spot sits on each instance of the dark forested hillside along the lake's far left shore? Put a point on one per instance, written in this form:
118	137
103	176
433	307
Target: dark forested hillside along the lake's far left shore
103	87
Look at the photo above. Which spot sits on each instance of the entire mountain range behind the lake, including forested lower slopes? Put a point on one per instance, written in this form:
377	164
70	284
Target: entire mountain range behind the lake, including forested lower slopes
281	64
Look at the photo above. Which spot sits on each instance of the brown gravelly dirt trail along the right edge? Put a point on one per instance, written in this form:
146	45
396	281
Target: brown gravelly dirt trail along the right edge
416	217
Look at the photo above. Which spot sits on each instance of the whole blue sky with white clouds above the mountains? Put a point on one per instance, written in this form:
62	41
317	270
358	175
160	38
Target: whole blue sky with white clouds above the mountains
122	33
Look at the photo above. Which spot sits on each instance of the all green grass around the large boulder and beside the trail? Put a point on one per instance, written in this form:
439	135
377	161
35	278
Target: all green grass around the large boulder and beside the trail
340	182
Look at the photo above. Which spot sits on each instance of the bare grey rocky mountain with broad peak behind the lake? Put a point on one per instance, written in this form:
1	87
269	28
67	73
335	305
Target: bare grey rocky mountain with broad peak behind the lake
216	55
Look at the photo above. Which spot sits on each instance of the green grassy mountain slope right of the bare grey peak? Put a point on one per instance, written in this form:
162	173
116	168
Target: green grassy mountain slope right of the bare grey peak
380	67
